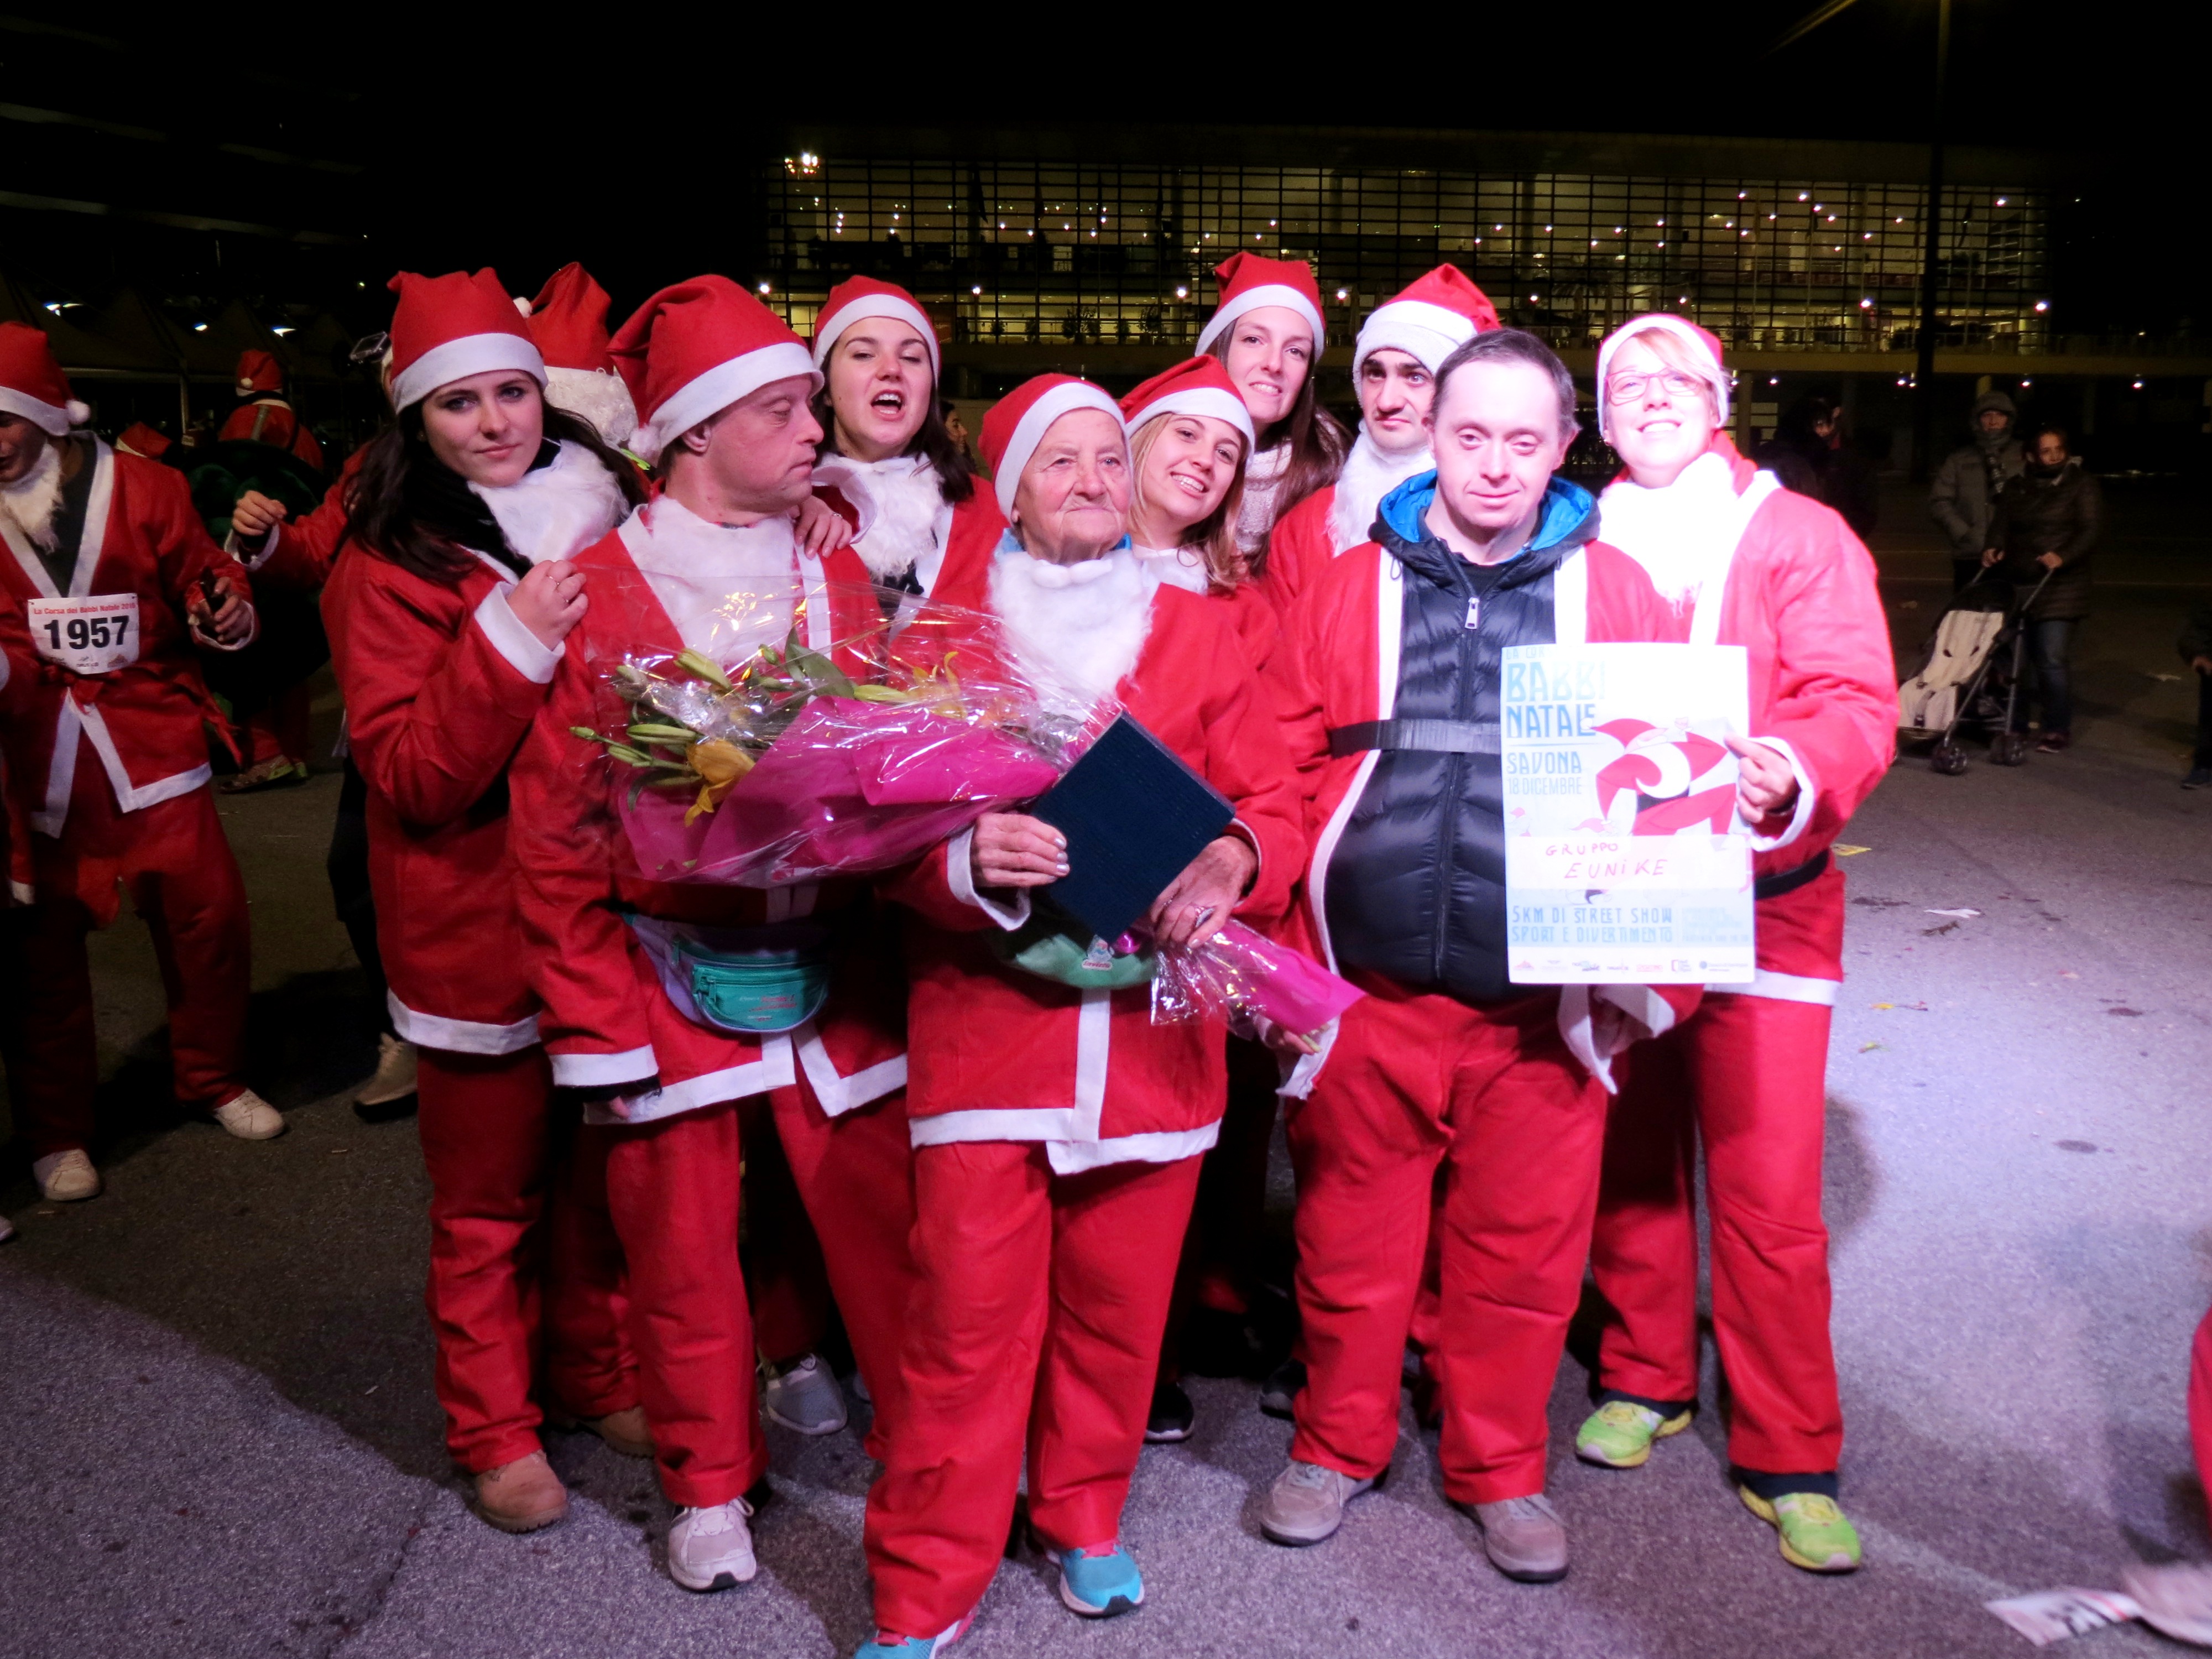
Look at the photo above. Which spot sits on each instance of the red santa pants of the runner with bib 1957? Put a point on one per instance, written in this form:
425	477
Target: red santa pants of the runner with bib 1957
185	881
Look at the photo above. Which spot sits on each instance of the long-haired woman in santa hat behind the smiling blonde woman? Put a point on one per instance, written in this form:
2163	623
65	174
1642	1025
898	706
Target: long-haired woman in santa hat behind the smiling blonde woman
1269	335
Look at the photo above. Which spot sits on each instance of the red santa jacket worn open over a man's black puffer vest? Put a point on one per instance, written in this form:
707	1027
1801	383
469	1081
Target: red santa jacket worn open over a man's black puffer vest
1339	667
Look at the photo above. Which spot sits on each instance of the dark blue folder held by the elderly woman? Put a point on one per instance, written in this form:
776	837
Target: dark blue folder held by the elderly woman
1134	817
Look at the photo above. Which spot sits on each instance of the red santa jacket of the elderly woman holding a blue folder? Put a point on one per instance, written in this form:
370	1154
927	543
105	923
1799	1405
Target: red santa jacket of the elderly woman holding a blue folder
1005	1056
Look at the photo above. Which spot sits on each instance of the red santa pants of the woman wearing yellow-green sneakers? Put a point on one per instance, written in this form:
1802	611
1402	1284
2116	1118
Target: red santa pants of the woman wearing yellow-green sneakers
1746	1076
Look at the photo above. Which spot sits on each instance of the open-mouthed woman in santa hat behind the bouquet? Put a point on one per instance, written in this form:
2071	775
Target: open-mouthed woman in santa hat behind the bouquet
888	463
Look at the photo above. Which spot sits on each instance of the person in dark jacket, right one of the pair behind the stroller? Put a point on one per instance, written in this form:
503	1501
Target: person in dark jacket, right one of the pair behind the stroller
2049	521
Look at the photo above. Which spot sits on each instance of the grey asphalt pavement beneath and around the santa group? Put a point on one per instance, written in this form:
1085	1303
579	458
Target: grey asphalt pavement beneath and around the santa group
218	1377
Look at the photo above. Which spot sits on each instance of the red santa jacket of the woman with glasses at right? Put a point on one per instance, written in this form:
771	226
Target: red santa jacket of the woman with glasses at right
1791	583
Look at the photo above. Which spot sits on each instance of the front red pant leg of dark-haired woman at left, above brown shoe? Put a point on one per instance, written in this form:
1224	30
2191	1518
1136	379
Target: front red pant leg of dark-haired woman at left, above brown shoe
486	1142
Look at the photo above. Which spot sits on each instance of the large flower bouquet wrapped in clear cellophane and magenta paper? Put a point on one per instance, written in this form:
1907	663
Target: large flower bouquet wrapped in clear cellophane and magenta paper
762	760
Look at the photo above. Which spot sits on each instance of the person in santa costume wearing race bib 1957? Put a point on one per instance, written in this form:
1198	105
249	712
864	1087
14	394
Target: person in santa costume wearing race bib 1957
112	587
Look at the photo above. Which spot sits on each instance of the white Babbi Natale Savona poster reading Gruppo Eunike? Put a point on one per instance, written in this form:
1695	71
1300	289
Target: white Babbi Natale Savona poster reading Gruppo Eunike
1625	855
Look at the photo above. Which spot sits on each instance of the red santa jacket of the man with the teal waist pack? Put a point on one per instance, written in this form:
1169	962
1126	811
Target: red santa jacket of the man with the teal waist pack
607	1021
